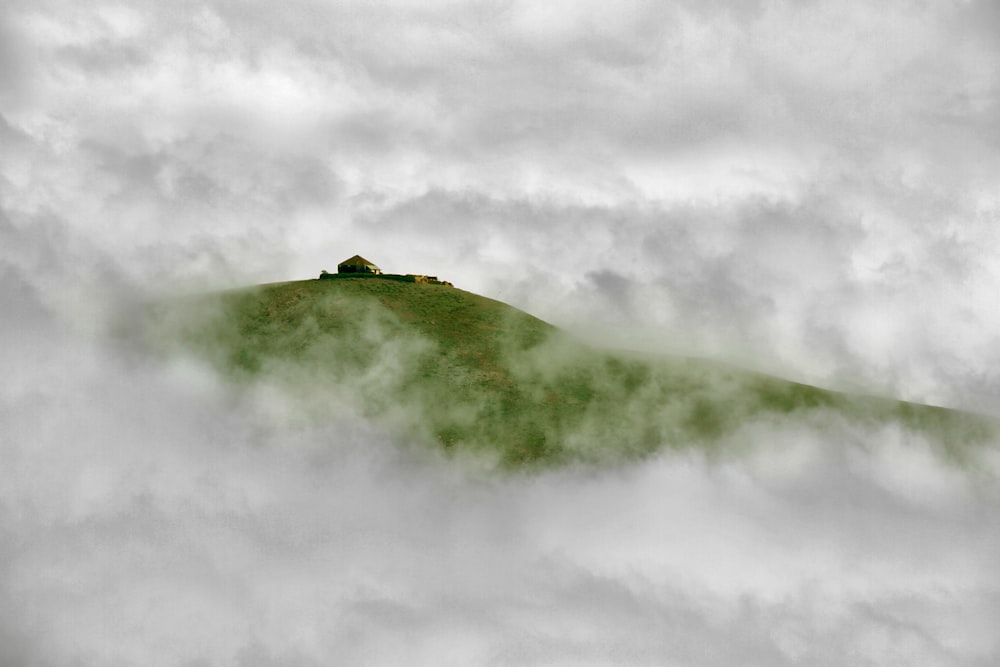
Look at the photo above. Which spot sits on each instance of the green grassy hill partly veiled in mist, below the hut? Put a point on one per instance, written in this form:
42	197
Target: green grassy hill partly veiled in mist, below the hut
478	377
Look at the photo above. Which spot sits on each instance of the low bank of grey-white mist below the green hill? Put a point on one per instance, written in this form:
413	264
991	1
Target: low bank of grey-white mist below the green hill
154	514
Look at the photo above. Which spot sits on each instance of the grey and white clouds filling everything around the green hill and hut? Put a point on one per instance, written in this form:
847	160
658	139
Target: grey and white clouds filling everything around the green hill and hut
810	188
